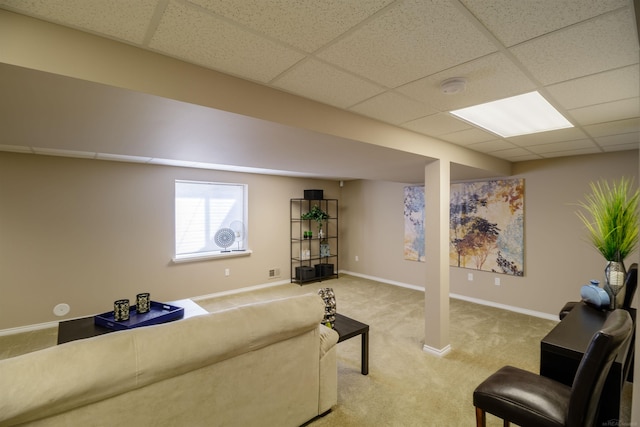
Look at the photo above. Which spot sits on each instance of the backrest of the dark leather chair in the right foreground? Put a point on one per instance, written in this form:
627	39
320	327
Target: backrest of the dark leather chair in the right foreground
594	368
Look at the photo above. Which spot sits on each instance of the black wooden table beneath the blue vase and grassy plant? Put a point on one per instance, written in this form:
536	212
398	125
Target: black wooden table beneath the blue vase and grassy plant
562	349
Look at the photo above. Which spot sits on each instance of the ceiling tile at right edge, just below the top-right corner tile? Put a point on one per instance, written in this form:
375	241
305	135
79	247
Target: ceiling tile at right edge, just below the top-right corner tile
606	42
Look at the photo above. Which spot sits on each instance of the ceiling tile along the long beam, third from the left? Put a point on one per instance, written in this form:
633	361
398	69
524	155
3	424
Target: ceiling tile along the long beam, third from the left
317	80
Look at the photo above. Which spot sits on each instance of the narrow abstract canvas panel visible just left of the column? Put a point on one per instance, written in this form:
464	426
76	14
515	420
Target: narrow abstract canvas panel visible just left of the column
414	223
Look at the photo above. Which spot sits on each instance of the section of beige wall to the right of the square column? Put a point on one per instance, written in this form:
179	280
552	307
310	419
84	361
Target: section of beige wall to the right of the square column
558	259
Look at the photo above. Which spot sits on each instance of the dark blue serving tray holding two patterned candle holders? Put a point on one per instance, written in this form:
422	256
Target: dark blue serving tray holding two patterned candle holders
158	313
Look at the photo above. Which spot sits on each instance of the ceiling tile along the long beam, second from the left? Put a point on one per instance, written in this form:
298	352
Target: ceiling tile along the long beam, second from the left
201	38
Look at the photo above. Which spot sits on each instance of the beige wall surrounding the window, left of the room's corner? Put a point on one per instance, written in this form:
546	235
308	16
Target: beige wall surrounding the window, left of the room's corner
87	232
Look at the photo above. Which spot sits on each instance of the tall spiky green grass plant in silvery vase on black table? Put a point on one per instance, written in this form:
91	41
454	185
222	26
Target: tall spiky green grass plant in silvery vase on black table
611	219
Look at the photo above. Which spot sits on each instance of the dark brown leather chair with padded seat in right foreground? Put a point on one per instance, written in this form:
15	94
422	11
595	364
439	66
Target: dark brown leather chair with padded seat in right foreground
531	400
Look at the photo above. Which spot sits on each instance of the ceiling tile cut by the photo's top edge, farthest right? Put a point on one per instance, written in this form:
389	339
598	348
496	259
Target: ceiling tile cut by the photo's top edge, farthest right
513	22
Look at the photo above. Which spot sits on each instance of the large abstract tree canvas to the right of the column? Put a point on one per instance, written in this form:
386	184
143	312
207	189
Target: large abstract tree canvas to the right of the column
487	226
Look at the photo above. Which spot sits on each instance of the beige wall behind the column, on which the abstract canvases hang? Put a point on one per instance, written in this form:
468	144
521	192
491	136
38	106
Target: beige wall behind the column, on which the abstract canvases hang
557	259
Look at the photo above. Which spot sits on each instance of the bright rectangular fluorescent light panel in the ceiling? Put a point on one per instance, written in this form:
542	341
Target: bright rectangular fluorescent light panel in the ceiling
518	115
